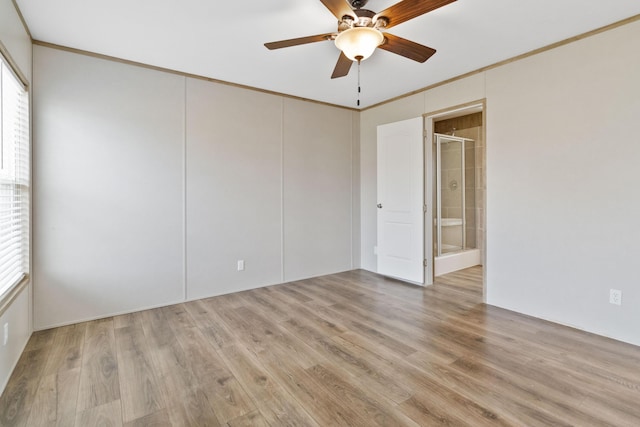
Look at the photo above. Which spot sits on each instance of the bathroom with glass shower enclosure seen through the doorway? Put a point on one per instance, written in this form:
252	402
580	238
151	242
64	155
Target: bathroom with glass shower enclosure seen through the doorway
460	186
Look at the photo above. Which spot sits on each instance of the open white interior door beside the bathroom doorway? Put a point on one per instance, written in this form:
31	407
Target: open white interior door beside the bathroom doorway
401	200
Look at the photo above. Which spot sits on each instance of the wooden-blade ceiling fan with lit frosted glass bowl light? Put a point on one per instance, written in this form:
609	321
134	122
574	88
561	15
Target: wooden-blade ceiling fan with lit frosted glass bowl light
360	31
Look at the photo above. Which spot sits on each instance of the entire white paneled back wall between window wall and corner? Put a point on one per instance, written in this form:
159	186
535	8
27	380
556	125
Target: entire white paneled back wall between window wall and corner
150	186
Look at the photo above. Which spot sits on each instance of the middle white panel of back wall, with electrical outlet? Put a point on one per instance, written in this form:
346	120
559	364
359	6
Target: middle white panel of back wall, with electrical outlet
234	185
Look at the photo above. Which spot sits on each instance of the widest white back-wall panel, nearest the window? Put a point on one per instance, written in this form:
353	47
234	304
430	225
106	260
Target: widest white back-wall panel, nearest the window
108	187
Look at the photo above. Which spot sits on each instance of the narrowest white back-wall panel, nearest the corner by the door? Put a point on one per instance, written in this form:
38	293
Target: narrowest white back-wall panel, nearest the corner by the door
317	157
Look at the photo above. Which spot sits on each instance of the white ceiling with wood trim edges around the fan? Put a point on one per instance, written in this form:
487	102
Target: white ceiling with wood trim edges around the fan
224	40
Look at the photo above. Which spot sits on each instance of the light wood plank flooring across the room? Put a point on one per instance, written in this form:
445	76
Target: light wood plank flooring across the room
352	349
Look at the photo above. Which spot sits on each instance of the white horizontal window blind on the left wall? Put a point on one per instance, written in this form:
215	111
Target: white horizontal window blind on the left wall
14	179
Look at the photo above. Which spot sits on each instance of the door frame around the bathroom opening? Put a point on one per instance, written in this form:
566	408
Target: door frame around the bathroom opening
429	176
